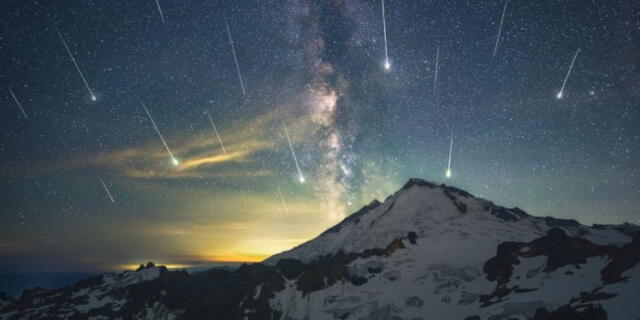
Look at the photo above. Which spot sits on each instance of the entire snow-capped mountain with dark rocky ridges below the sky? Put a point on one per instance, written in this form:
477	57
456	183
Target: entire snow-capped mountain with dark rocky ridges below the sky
427	252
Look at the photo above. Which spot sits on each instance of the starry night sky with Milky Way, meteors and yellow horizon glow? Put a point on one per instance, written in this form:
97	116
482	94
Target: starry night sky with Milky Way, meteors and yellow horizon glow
358	130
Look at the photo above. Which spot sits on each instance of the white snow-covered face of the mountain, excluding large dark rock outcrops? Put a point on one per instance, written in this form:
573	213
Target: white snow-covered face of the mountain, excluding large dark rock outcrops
442	273
